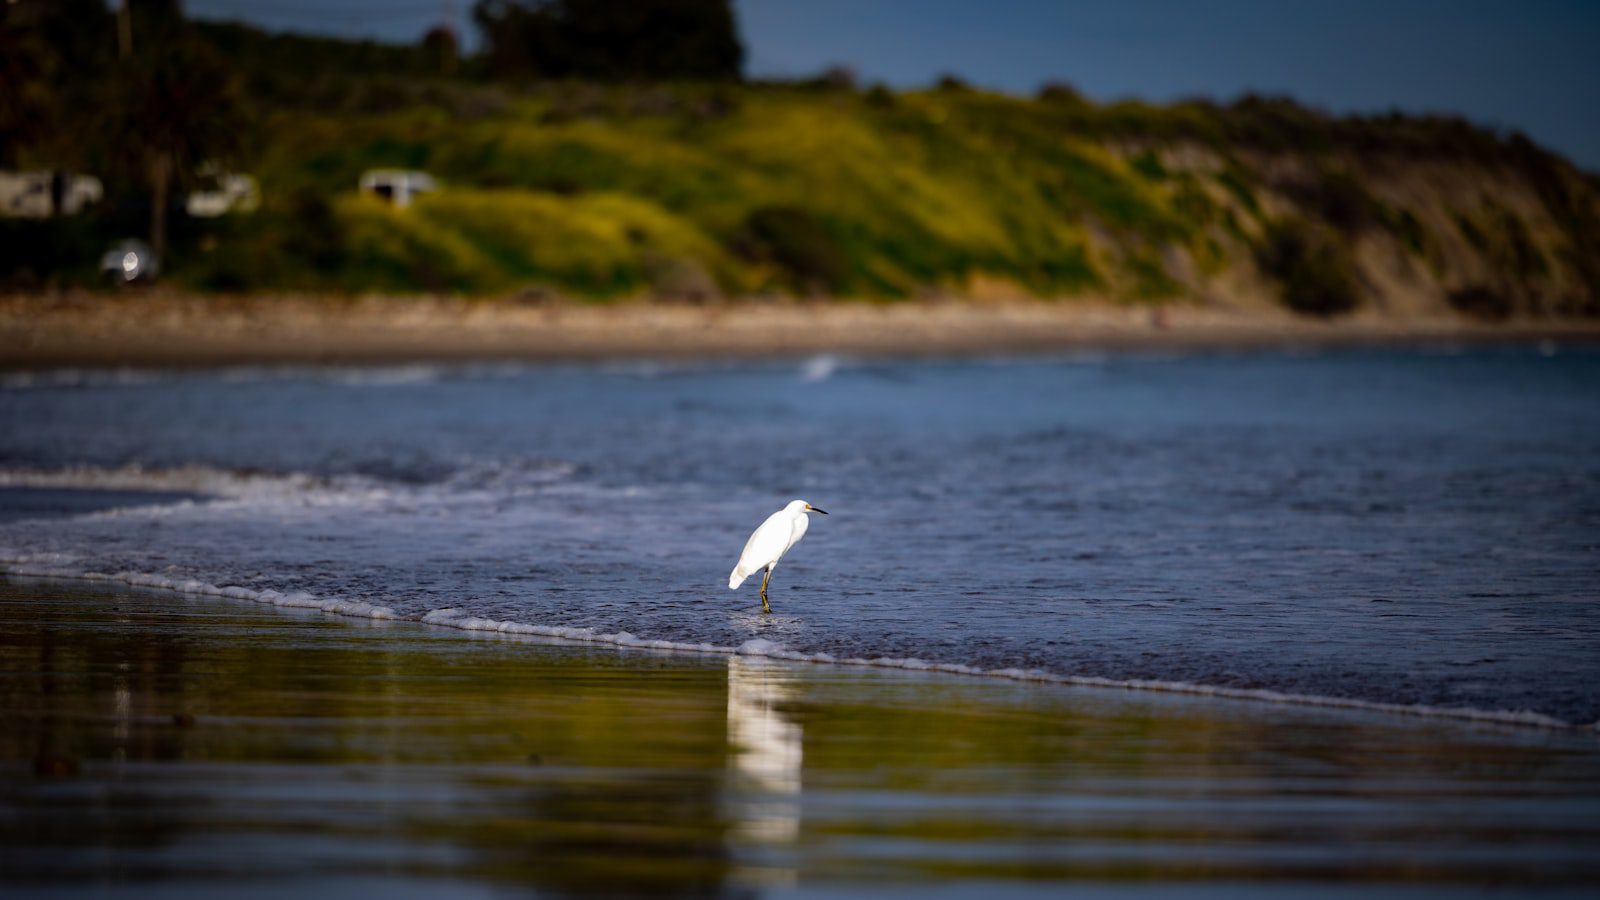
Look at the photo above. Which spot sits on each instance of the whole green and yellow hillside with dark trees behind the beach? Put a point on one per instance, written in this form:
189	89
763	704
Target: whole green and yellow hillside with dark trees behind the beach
695	185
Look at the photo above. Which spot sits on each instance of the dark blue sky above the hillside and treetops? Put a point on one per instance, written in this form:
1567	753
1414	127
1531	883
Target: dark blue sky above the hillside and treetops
1530	65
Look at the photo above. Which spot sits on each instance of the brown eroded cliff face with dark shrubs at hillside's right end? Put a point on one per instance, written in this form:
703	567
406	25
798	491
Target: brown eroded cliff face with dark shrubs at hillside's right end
1383	233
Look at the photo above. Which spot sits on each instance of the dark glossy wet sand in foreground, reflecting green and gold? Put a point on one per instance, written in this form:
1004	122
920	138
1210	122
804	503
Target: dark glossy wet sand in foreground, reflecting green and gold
182	747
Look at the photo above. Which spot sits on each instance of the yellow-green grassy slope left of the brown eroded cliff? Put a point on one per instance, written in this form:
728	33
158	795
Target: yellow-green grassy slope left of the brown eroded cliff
785	191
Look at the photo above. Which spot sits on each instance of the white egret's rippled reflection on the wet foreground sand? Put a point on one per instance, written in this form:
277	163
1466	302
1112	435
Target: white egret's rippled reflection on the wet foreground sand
767	753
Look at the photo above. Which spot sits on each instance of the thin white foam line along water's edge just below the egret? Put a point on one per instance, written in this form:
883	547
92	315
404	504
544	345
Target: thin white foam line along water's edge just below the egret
52	566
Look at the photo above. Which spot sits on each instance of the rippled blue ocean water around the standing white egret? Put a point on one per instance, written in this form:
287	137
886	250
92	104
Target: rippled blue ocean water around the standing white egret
1407	529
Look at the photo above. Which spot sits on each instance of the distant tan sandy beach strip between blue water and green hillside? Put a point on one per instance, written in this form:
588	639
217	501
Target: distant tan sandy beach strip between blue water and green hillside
162	329
